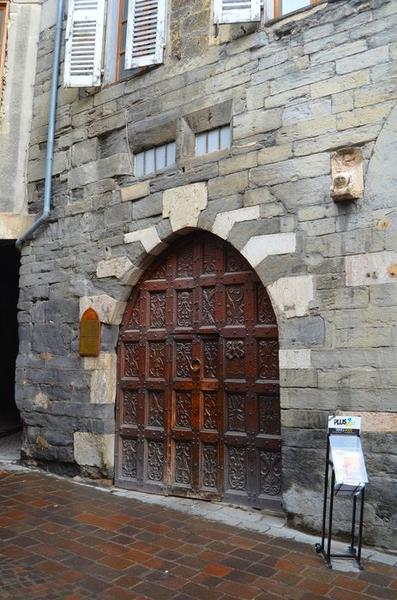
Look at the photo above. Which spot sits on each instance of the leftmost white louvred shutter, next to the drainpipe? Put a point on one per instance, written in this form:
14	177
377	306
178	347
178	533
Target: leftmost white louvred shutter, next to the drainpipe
84	41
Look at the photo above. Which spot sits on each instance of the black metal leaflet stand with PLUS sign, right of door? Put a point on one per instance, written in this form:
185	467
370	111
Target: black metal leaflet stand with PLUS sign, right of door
348	478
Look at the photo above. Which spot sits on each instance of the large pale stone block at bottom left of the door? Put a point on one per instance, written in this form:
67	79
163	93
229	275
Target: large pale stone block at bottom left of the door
93	449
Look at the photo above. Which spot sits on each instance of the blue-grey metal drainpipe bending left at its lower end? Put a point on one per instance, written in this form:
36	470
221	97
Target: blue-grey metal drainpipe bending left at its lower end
51	131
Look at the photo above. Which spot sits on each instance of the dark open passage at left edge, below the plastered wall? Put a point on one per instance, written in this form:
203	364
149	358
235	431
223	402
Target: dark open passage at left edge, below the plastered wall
9	269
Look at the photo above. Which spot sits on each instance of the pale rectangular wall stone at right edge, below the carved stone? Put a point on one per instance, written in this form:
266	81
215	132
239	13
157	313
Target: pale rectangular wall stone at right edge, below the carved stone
371	269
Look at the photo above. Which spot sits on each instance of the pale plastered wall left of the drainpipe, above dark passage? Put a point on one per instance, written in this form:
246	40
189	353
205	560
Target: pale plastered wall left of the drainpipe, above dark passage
16	115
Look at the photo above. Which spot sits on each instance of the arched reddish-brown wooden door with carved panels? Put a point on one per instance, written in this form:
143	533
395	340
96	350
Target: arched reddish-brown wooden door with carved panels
198	410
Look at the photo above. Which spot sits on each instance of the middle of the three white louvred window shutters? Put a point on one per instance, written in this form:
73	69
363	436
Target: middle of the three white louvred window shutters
145	33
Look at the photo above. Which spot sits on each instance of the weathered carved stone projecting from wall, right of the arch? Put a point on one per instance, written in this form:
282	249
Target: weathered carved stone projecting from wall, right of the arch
347	174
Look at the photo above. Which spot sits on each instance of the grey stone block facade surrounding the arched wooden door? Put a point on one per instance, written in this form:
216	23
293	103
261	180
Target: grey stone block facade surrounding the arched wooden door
306	193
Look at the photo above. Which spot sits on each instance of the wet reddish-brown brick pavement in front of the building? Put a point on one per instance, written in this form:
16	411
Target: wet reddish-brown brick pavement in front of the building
60	540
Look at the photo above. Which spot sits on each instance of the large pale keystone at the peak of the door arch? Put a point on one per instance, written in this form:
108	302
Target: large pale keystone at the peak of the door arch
183	205
